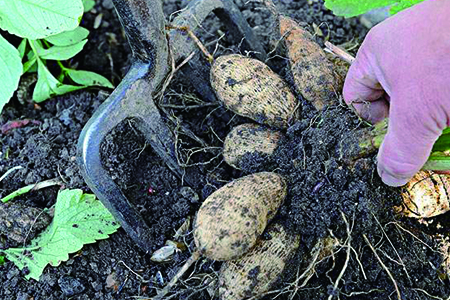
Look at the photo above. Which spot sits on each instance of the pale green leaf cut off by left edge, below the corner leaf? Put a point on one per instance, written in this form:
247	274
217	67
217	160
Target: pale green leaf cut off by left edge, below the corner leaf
11	70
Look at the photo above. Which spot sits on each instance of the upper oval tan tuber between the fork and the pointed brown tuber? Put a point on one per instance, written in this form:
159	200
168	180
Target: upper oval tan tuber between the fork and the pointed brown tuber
251	89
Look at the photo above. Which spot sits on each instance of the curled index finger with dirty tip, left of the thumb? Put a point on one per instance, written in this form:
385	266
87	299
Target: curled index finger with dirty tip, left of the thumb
363	90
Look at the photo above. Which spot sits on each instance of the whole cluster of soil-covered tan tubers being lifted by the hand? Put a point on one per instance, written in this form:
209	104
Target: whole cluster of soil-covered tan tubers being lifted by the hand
230	222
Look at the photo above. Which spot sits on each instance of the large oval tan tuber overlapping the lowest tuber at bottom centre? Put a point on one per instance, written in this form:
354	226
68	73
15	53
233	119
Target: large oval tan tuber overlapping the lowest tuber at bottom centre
232	218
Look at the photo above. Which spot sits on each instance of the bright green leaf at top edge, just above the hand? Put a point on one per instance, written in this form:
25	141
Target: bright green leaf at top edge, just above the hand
352	8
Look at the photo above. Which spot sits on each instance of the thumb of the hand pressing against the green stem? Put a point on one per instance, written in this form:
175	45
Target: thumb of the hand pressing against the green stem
407	144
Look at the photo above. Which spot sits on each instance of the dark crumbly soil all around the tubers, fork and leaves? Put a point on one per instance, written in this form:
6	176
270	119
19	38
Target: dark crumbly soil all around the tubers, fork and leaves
324	190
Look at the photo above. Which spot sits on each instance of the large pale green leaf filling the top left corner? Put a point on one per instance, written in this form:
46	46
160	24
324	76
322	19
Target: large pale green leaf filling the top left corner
37	19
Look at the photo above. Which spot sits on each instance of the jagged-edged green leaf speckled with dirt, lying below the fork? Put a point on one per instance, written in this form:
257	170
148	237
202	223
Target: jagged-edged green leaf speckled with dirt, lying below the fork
79	219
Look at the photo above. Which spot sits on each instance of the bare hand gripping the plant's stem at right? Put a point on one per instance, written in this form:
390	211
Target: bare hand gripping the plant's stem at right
402	70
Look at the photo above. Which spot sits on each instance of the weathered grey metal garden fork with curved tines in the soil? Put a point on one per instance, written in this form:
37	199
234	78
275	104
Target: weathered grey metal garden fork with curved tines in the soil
153	49
